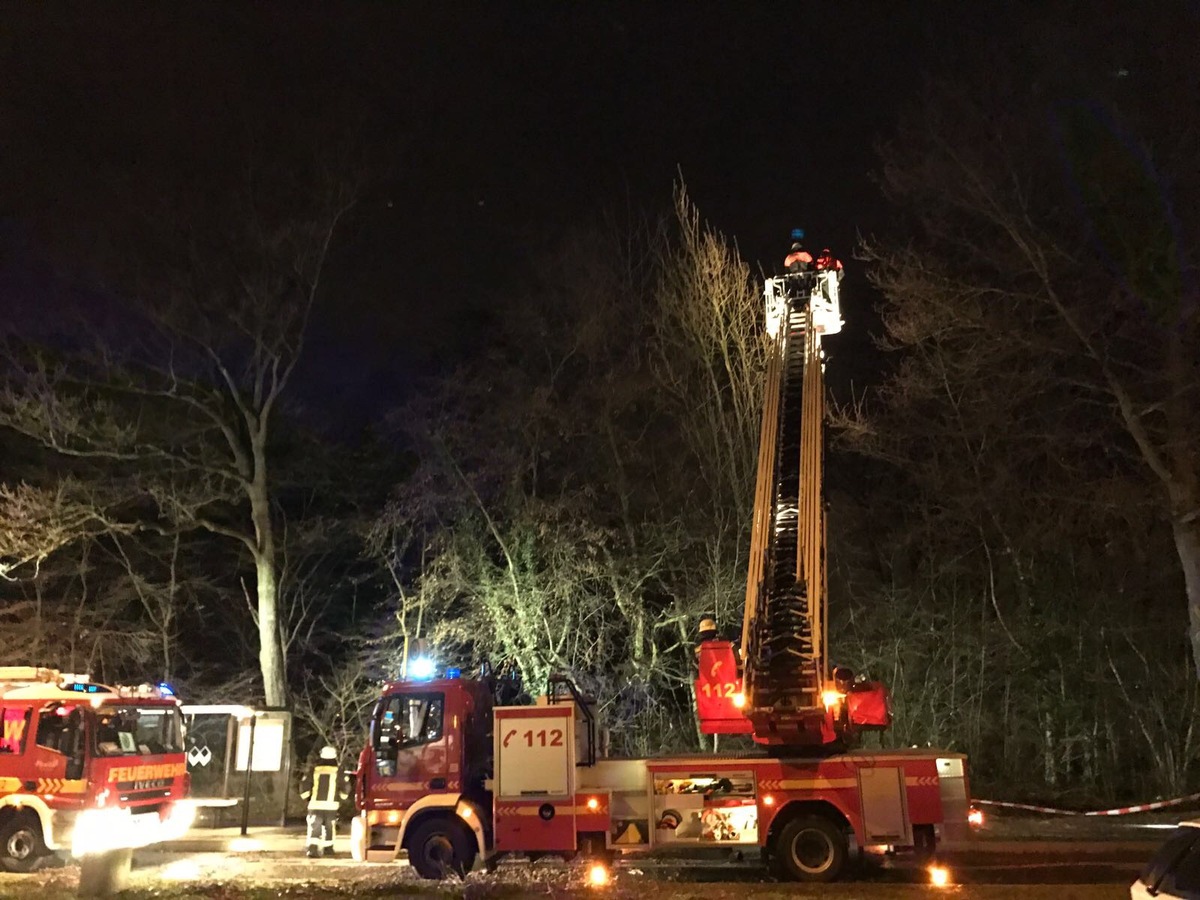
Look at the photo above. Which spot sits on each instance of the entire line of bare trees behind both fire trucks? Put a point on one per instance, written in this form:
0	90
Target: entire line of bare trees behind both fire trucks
1015	502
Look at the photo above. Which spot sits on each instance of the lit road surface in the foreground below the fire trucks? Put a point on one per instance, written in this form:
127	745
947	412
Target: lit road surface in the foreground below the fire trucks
1075	871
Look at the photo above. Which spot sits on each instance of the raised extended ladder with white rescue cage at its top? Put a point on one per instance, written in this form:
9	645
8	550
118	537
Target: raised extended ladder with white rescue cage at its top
784	633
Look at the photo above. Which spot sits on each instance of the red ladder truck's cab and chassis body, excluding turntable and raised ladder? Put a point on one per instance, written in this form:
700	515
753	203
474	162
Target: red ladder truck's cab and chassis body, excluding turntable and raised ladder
451	777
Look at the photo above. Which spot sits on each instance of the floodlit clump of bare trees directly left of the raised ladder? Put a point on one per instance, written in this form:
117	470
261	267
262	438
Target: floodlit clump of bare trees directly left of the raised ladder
580	491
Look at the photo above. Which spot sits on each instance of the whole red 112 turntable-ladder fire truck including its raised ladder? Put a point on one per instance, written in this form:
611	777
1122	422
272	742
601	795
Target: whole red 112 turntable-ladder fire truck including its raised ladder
454	772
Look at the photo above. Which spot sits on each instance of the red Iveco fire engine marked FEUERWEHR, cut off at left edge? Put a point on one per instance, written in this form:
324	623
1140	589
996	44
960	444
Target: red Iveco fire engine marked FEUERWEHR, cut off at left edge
87	769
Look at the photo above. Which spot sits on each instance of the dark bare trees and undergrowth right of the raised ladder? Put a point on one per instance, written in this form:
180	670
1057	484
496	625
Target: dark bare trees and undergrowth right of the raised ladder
1018	539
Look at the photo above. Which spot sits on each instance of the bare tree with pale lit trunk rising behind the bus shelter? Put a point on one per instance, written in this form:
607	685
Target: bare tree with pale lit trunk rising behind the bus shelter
181	389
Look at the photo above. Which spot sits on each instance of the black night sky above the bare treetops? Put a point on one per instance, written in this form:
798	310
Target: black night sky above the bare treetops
493	128
